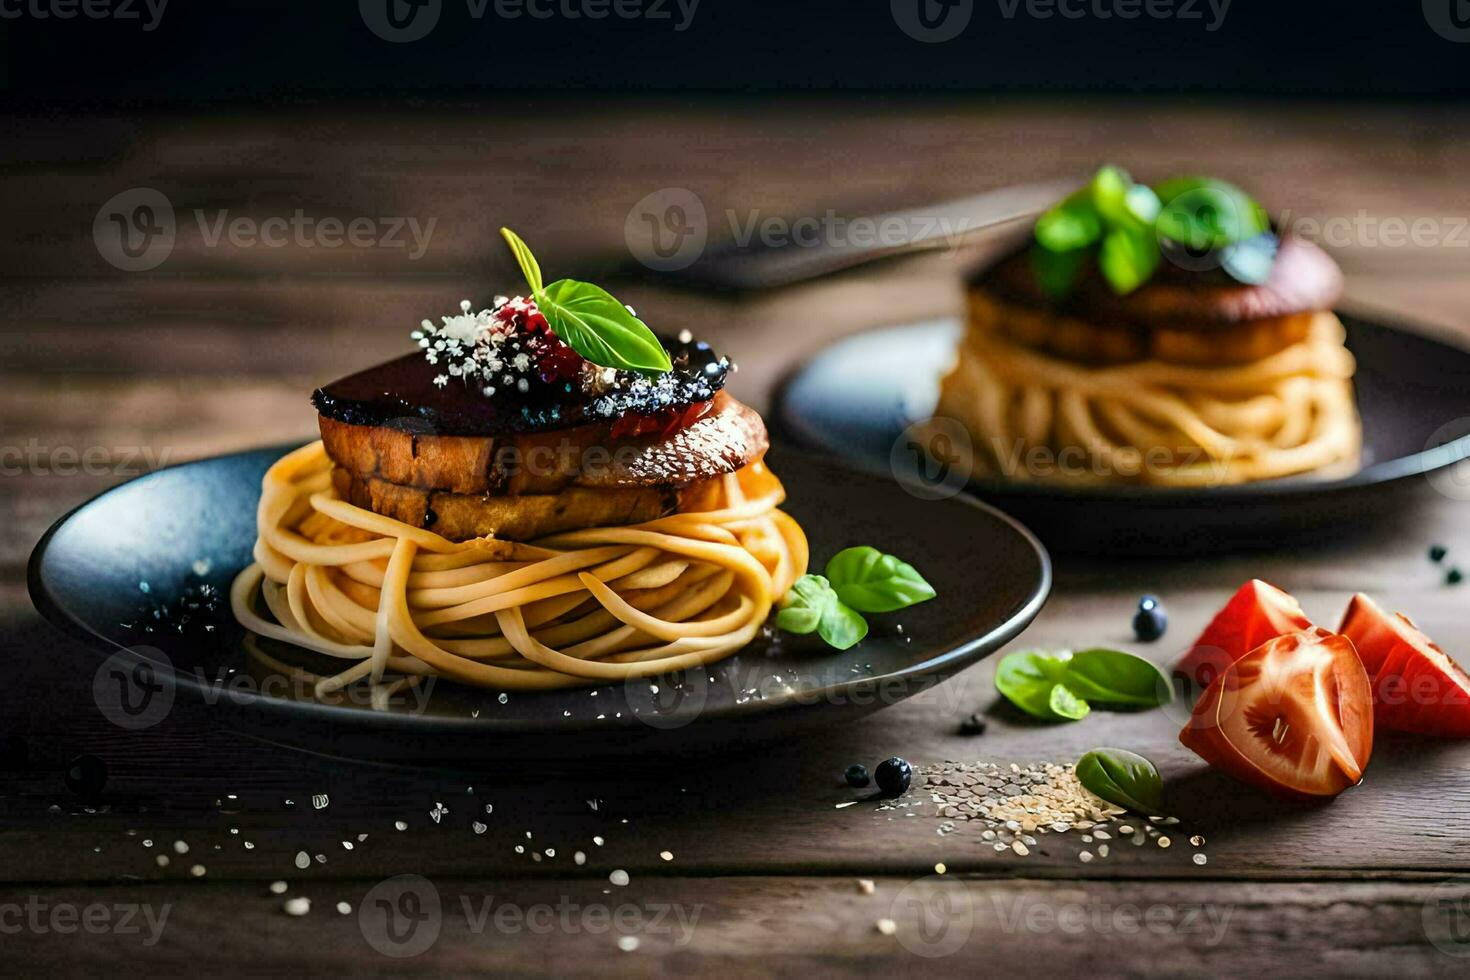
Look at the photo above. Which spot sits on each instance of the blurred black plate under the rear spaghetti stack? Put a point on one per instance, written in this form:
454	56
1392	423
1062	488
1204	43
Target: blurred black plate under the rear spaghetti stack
858	397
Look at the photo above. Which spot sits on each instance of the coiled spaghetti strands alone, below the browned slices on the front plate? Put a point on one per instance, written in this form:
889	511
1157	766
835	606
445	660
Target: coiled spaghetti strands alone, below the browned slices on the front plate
573	609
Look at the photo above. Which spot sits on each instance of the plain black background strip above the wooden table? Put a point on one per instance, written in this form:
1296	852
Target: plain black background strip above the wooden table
268	52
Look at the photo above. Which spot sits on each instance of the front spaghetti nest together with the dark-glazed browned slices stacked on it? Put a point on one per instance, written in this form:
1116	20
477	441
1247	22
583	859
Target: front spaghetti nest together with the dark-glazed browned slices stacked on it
576	531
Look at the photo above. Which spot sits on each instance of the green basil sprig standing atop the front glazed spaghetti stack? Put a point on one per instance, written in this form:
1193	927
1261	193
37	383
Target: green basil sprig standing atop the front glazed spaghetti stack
590	320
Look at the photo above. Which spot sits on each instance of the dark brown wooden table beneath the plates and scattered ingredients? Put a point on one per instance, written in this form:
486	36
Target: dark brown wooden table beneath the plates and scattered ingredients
217	349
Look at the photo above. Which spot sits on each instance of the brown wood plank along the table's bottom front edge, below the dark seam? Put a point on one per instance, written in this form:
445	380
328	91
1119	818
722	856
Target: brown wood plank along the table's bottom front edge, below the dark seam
742	928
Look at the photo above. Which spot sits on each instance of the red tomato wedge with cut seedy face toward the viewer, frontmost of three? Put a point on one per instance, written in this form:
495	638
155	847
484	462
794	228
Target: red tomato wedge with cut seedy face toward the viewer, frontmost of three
1294	716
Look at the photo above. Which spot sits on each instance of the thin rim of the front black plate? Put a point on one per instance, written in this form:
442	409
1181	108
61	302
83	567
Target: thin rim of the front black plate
358	719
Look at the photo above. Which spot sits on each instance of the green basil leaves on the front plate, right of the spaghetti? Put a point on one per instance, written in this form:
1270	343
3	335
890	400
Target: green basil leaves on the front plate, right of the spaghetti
858	581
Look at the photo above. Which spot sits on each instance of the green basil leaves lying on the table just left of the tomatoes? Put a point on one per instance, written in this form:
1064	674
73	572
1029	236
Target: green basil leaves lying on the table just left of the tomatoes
1064	687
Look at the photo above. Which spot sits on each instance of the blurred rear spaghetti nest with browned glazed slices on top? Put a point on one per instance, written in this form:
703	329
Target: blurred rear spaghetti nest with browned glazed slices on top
1194	380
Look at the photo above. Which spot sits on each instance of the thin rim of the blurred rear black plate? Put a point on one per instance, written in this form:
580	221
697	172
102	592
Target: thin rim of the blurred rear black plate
1377	475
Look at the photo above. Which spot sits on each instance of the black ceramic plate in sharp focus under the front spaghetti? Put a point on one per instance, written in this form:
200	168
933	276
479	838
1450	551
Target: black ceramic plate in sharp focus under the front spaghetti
142	575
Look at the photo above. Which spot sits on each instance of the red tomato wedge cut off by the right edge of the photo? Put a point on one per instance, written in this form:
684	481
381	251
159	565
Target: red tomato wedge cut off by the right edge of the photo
1416	687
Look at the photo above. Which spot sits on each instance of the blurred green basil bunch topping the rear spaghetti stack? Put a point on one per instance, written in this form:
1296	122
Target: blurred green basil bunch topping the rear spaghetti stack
1127	227
